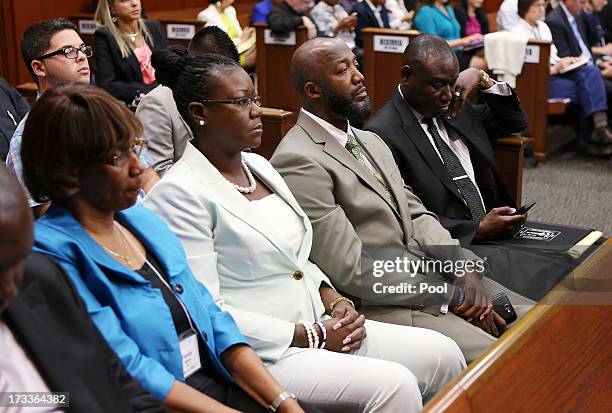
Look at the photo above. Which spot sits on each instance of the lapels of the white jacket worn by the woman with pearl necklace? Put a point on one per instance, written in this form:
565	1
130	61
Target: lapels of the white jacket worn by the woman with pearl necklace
231	200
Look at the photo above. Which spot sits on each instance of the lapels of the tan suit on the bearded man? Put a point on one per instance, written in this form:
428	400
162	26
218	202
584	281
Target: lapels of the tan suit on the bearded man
318	134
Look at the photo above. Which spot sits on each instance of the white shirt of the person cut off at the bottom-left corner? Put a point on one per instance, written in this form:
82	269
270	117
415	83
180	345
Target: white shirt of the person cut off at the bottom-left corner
17	372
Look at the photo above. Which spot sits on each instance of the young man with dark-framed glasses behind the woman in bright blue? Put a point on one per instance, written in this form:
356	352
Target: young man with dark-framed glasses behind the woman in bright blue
55	54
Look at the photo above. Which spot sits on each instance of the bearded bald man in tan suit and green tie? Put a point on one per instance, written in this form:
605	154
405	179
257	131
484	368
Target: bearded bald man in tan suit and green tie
369	228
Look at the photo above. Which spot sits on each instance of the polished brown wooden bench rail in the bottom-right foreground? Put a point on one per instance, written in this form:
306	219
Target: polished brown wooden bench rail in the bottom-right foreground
555	359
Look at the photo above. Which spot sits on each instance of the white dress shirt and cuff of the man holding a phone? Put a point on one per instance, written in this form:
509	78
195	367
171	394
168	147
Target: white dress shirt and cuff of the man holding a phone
458	146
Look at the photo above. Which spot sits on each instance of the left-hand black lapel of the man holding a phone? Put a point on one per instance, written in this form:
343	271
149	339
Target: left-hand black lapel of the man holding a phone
413	131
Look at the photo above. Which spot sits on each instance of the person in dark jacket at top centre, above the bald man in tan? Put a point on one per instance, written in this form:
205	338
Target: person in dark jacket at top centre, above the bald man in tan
290	15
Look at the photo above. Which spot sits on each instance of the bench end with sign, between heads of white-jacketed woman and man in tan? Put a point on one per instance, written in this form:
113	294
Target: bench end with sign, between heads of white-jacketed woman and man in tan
273	67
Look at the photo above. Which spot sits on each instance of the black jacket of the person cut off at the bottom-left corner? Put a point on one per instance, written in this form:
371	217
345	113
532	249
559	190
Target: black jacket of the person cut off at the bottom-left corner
49	319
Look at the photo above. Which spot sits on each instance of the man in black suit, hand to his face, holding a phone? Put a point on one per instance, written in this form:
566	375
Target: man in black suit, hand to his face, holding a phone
455	176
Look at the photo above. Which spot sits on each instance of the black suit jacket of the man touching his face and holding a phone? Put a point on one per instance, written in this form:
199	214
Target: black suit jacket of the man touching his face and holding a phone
423	170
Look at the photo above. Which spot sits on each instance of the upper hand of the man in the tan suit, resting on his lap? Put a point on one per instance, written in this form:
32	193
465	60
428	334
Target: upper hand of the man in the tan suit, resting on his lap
475	305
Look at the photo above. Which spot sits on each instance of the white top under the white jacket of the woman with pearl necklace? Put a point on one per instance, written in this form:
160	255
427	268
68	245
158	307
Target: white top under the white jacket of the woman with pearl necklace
286	220
